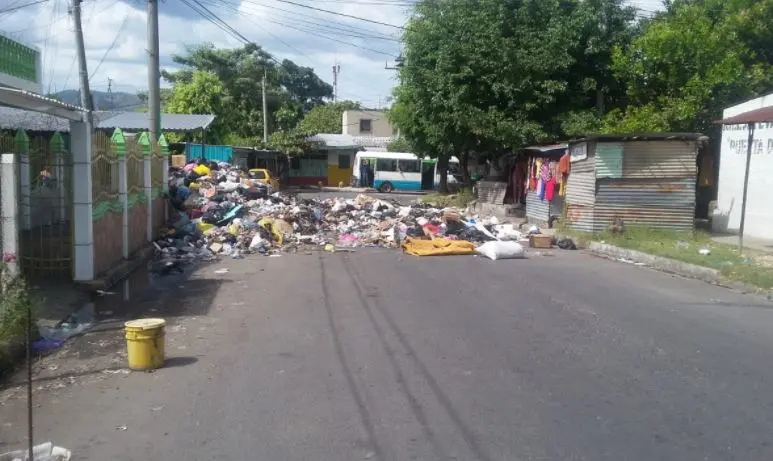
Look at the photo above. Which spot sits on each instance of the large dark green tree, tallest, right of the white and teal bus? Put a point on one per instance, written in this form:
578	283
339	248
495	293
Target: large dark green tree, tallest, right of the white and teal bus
491	76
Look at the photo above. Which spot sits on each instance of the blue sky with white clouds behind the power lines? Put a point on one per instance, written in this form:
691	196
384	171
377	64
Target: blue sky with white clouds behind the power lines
115	34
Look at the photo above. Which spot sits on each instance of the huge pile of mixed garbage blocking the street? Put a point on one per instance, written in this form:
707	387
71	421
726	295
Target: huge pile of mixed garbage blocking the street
219	210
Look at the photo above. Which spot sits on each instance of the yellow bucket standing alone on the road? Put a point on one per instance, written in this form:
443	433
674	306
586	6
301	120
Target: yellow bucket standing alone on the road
145	343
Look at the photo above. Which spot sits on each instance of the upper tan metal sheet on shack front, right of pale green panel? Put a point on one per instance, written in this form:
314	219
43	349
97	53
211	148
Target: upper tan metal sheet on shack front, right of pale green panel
660	159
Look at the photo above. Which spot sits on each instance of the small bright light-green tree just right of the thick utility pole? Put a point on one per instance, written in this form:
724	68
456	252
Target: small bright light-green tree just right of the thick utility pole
203	93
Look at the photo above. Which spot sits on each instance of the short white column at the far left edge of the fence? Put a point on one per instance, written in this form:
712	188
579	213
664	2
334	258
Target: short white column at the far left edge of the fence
9	213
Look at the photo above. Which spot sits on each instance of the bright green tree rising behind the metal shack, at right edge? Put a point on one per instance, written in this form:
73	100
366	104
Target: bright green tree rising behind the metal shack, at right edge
692	61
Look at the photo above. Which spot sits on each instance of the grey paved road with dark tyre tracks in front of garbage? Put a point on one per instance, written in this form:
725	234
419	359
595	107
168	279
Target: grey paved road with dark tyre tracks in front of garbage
375	355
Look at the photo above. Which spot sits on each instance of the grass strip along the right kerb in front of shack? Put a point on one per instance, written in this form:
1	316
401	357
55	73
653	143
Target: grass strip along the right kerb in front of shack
752	267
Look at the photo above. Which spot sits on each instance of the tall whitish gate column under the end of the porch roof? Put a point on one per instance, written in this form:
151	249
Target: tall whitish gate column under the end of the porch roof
83	221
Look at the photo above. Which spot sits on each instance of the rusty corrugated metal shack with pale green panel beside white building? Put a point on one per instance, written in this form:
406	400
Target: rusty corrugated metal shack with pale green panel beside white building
646	180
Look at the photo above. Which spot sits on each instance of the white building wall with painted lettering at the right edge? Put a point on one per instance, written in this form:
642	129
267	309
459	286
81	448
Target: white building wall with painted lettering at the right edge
732	165
